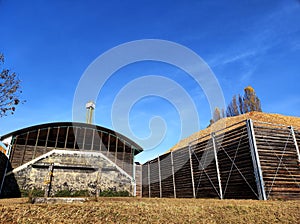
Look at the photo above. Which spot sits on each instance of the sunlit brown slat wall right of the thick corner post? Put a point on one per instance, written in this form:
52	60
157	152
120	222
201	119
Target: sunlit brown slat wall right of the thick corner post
278	157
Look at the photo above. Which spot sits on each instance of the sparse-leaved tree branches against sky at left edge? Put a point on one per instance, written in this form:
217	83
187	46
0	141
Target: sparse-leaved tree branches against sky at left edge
9	90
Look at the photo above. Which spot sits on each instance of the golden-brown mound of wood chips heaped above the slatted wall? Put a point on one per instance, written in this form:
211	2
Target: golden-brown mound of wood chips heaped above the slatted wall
229	121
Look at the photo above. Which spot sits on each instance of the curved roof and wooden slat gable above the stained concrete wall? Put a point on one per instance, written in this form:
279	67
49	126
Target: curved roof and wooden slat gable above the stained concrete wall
32	142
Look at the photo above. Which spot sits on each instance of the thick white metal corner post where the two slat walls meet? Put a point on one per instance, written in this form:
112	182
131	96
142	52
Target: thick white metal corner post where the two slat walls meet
256	162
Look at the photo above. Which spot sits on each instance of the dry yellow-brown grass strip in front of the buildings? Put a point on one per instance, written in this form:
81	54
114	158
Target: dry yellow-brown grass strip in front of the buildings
144	210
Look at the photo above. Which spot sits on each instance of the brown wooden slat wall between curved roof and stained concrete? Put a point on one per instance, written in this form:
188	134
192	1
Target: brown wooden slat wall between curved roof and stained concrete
33	144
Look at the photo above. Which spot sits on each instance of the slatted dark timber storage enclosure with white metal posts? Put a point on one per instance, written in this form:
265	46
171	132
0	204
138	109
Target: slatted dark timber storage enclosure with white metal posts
247	160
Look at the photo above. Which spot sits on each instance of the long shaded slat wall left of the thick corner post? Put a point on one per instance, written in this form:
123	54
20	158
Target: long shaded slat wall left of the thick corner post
237	181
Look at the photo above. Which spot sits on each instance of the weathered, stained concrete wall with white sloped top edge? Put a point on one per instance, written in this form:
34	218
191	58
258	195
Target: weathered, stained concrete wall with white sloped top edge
74	171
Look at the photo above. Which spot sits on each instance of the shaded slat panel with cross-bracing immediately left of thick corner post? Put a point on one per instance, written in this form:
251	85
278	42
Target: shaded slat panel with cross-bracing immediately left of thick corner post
235	164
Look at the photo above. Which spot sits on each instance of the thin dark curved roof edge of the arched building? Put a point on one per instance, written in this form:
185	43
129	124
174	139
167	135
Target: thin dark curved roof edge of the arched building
73	124
